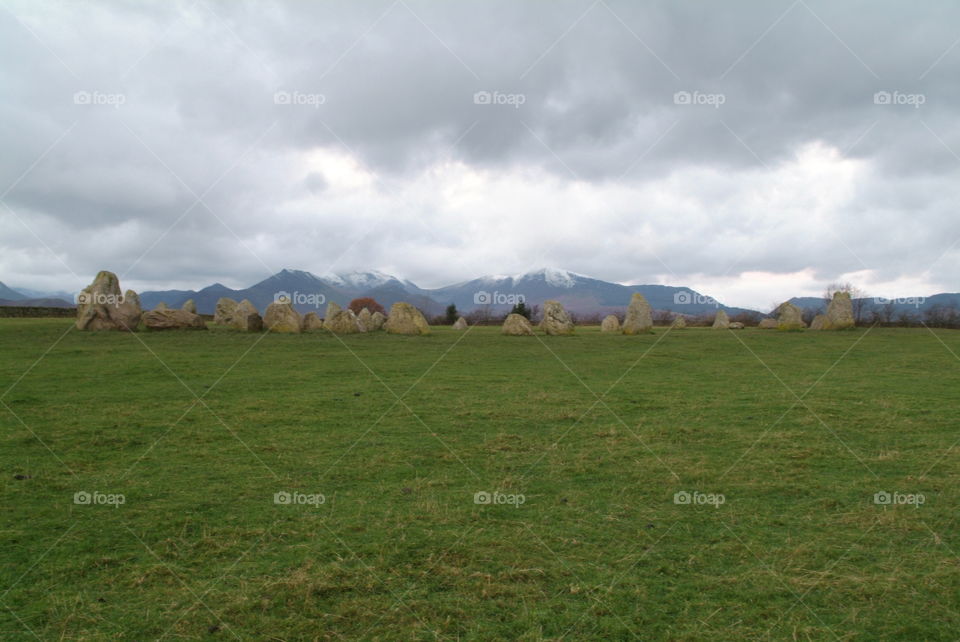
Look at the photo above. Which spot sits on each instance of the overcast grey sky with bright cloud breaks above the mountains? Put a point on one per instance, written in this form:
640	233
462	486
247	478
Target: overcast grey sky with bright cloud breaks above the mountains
751	150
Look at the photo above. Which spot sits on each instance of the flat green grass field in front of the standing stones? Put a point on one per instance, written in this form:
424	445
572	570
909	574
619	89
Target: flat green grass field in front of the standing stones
594	434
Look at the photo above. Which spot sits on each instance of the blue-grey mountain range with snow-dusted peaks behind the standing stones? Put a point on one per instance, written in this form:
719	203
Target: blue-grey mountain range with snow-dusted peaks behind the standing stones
578	293
